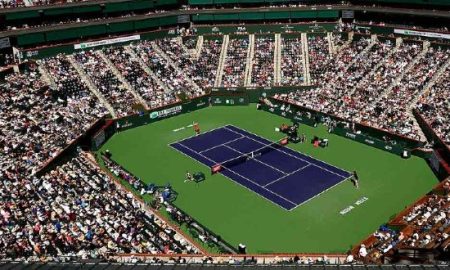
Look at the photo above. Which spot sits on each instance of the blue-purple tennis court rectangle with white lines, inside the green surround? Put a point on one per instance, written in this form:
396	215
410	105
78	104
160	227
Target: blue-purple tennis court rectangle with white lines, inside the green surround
284	176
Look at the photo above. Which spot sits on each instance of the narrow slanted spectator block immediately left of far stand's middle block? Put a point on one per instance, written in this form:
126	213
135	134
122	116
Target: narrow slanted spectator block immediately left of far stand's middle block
235	63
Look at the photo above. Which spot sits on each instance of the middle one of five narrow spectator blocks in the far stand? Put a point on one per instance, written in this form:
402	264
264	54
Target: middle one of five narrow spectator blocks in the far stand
263	62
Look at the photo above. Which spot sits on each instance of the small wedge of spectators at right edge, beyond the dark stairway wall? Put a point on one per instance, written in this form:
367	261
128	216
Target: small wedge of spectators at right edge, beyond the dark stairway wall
434	106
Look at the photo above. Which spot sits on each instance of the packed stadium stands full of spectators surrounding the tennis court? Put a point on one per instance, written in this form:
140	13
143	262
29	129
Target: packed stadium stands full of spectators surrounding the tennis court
75	210
